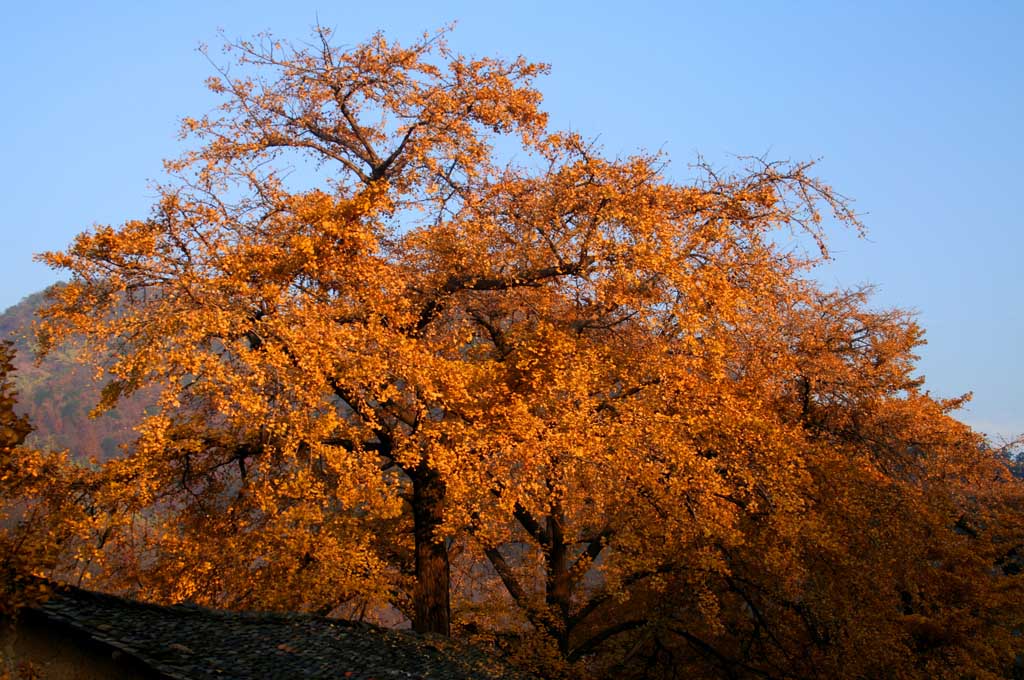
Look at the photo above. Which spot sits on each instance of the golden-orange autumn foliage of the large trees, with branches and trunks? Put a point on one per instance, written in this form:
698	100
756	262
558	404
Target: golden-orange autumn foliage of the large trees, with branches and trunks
566	403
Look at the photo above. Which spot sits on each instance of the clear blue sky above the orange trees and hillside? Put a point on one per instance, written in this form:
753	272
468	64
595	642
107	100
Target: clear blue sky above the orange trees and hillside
916	109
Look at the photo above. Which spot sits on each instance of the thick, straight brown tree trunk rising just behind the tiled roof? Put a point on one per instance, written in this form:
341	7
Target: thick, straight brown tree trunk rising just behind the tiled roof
432	592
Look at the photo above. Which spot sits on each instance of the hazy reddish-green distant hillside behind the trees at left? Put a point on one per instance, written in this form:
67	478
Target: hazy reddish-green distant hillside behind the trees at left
59	394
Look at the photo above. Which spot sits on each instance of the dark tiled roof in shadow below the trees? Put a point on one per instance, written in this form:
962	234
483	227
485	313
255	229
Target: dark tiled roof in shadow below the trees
188	643
